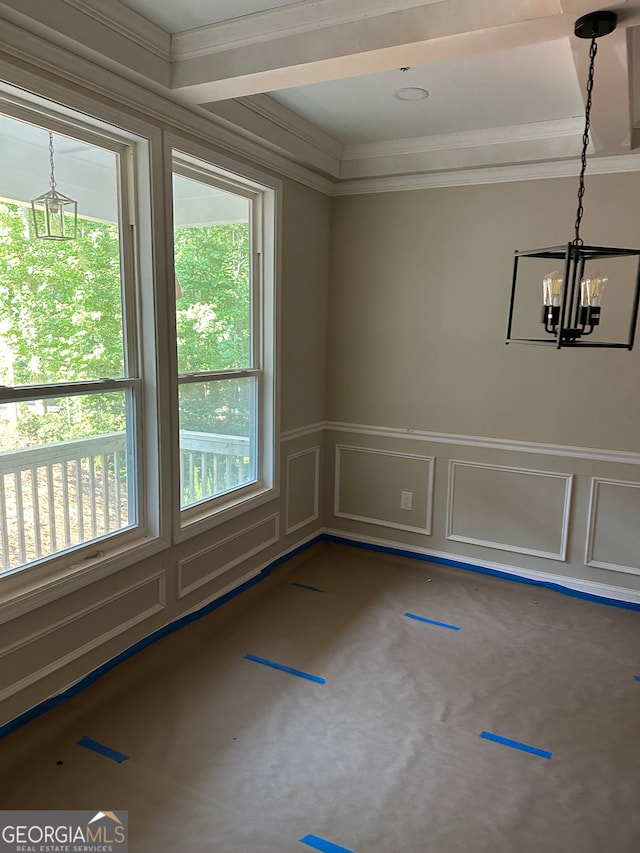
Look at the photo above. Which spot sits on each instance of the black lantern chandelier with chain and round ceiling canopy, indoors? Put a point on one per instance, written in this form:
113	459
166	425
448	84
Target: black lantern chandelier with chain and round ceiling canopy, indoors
572	293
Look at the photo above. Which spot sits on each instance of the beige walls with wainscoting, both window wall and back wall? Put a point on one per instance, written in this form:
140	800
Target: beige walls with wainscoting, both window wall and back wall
371	338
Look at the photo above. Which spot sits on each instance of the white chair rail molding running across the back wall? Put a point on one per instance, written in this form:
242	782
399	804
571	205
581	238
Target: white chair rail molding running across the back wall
505	444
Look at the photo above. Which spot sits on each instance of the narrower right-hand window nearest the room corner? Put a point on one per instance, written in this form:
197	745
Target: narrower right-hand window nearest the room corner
224	282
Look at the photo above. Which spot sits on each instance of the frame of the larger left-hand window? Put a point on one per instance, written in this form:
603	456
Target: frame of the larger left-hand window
100	556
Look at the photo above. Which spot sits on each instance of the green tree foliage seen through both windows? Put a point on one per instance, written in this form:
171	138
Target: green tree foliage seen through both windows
61	320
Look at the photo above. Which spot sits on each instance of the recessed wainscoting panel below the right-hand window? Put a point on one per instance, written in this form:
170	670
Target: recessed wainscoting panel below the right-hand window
198	569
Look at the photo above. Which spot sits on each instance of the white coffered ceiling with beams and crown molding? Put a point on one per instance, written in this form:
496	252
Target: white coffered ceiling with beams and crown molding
314	79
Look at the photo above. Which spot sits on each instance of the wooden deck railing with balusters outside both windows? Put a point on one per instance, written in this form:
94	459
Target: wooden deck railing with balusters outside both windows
56	496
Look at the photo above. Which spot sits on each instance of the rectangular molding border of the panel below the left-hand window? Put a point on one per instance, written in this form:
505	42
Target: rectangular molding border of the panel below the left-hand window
44	671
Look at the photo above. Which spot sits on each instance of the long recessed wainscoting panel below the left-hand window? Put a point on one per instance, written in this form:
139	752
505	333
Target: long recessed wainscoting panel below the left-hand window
57	644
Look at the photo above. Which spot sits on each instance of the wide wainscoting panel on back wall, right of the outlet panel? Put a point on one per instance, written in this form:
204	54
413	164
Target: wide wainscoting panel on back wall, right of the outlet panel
512	509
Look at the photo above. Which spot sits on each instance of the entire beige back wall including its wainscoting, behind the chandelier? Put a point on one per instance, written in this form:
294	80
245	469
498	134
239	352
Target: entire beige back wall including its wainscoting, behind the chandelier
519	458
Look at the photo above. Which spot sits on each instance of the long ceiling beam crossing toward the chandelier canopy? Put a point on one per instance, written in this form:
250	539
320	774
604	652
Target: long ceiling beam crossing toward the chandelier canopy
410	36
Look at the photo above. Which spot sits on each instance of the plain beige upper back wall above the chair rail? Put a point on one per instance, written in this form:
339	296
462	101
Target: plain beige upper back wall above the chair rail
420	288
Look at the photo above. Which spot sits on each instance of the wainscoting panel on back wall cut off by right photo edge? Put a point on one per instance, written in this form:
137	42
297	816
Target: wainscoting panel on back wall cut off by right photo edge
613	540
